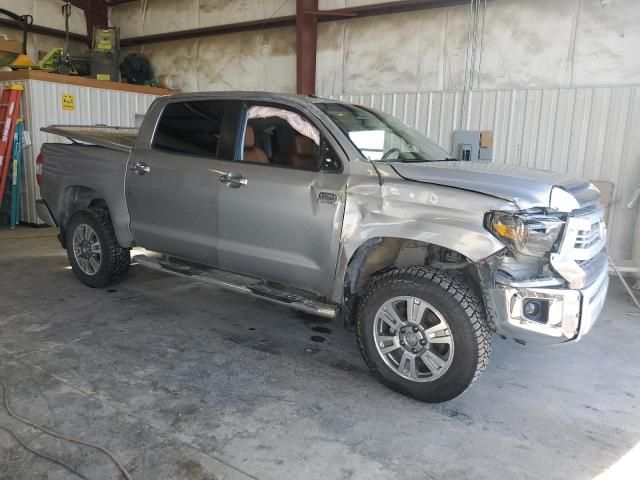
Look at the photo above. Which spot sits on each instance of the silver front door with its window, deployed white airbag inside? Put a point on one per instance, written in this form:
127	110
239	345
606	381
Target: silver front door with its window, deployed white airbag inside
280	213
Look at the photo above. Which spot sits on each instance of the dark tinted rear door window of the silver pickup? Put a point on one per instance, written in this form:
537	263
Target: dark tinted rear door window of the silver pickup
192	128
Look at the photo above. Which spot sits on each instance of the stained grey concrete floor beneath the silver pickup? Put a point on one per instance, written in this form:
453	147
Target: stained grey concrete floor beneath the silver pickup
184	381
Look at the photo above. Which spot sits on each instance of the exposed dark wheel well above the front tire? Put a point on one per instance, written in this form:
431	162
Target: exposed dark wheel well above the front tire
377	255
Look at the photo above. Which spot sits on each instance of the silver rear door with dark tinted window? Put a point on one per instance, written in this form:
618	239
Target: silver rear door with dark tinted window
170	184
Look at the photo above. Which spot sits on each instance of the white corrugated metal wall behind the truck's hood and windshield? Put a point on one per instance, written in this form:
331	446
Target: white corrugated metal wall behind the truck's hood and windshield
590	132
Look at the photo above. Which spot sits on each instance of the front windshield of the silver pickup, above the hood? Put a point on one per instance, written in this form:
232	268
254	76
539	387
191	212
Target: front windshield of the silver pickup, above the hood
380	137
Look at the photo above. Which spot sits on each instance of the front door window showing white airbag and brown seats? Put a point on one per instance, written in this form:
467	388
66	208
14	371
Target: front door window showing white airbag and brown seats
280	137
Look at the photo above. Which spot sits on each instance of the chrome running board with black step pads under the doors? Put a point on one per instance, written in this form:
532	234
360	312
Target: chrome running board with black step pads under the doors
238	283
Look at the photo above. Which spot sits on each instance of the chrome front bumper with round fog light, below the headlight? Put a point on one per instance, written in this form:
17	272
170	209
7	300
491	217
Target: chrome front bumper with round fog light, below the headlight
568	314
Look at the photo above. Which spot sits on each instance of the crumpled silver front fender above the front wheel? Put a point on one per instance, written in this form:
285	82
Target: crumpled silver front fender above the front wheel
423	212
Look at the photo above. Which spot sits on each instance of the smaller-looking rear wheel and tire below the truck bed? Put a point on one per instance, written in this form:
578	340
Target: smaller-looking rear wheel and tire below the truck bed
112	263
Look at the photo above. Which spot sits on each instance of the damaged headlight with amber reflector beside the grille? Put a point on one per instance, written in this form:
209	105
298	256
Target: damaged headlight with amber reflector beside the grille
526	233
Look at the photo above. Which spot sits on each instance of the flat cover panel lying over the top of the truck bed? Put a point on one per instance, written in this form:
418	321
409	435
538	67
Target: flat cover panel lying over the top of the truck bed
118	138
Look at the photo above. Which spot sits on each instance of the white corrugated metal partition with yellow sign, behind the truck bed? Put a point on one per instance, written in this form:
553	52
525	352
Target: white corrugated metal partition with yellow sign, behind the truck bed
42	106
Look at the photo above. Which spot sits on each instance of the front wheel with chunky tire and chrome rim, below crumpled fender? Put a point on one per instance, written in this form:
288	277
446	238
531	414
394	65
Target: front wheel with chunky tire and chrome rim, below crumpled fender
451	341
